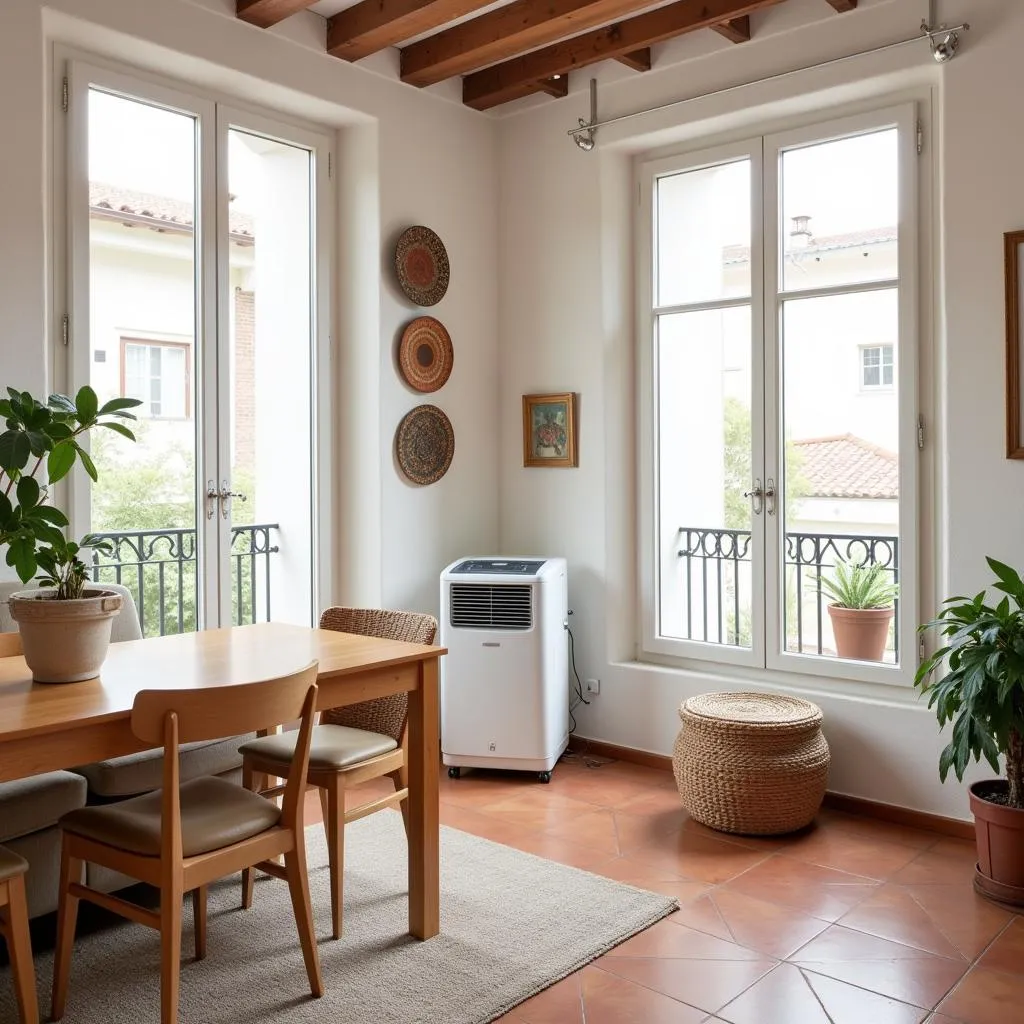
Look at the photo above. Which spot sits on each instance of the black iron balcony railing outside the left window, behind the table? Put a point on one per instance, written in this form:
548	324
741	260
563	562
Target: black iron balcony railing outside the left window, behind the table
159	568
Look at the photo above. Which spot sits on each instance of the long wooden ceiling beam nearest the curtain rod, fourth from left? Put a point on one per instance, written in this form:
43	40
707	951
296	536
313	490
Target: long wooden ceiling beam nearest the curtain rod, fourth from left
492	87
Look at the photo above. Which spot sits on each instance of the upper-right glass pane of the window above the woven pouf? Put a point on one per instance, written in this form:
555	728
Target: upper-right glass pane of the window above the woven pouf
840	212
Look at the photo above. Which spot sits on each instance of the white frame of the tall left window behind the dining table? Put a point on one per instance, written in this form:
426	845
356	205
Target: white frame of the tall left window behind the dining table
214	111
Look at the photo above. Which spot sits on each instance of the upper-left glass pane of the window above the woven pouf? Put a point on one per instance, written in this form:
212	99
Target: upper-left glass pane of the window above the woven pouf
704	235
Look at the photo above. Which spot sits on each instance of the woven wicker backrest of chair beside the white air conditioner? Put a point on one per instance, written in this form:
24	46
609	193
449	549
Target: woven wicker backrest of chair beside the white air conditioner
385	715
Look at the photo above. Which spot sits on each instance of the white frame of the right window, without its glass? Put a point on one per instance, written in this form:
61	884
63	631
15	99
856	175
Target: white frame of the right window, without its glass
769	296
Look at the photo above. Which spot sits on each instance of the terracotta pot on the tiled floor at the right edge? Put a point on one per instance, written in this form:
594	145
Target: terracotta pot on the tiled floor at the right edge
1000	833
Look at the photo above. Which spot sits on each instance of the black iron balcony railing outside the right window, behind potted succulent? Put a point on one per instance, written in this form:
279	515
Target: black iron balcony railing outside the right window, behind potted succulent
716	583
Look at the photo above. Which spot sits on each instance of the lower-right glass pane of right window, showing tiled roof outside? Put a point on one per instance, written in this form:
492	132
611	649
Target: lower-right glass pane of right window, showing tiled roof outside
840	493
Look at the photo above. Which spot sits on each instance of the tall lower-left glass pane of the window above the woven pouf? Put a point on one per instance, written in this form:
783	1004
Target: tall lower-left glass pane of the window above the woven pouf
705	467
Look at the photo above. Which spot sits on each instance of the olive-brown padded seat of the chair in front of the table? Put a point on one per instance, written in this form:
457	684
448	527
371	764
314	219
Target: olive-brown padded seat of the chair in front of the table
215	815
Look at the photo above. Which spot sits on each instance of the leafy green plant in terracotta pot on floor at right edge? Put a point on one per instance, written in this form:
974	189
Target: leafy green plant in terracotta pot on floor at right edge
976	681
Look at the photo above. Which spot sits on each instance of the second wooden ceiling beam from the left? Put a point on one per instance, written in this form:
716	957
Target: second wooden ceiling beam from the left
375	25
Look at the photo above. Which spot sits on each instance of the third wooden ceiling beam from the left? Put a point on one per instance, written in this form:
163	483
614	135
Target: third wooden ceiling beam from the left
504	33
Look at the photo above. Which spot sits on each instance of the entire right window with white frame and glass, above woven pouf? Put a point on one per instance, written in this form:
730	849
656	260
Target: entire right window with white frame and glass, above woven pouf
778	284
